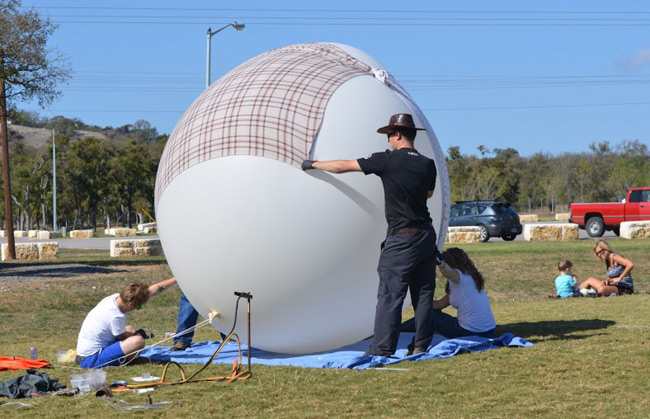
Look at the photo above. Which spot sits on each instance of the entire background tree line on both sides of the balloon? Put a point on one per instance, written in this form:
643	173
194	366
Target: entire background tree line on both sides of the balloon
109	179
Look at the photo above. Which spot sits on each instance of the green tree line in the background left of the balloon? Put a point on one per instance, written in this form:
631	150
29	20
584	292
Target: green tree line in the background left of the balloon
106	180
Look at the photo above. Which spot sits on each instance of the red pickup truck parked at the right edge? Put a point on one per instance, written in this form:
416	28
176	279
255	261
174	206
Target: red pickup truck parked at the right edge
598	217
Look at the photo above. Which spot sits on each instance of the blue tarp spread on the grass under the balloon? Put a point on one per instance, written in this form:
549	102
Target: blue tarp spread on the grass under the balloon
350	356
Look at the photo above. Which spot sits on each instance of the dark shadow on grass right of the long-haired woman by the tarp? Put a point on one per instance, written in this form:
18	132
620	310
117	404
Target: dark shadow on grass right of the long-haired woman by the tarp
554	329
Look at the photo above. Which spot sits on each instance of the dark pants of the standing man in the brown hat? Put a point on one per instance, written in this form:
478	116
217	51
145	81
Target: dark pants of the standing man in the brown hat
407	262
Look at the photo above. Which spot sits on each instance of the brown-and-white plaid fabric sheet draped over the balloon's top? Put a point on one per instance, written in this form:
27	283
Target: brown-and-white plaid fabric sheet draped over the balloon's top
270	106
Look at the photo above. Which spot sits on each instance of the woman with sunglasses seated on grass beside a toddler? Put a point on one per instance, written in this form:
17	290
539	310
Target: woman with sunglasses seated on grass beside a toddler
618	267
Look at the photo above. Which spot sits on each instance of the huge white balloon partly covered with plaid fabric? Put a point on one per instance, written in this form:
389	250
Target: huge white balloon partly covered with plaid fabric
236	213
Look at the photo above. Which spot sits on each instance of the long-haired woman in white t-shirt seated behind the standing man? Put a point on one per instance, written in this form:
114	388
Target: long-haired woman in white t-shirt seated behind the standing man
465	291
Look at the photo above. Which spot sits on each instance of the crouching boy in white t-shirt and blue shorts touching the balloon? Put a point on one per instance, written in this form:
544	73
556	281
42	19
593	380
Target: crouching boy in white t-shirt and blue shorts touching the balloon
105	338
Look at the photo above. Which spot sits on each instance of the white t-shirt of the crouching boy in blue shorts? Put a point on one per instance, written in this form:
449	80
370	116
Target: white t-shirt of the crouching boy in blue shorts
102	325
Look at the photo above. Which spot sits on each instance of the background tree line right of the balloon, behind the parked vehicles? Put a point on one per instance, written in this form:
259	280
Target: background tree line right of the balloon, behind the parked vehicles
548	182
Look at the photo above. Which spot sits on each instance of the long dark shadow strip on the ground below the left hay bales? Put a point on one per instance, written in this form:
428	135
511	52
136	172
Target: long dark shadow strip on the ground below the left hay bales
35	272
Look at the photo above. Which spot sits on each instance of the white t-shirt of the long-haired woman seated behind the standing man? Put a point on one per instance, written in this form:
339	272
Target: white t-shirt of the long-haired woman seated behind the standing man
474	312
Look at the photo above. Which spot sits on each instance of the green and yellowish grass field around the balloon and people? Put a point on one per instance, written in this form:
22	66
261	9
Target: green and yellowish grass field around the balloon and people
591	356
